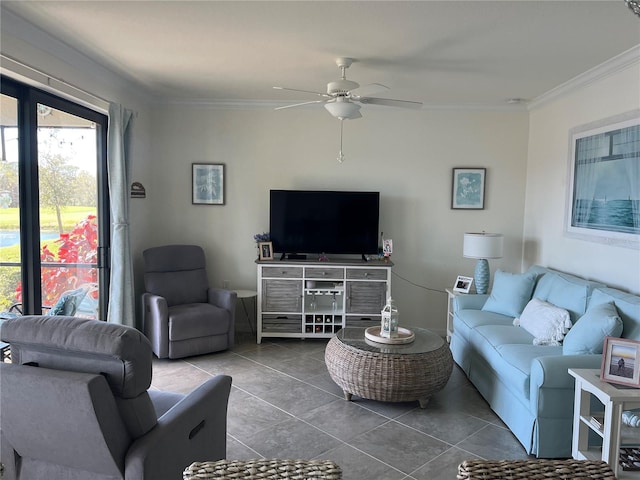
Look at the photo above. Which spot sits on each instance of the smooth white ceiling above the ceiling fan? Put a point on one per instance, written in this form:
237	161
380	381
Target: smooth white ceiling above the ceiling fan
441	53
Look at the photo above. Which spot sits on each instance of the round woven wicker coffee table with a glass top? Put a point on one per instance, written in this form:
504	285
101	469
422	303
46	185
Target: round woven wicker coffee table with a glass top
389	373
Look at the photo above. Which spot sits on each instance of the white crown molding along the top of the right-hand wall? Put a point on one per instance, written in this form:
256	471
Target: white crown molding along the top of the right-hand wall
612	66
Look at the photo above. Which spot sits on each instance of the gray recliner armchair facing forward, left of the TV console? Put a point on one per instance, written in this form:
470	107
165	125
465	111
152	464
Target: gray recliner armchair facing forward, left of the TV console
182	315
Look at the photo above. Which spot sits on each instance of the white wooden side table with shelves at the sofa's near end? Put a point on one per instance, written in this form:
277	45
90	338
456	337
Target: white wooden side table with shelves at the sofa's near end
615	399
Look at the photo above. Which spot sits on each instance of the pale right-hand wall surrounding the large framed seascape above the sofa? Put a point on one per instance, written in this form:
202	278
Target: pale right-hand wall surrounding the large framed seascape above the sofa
548	177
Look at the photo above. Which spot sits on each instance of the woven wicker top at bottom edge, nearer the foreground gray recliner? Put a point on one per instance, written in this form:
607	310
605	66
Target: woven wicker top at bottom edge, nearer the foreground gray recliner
272	469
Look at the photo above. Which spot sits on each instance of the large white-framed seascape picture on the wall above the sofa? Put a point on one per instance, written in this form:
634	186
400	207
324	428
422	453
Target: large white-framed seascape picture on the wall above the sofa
603	197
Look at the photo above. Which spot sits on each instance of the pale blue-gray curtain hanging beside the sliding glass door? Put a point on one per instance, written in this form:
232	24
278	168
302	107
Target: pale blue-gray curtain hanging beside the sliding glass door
121	295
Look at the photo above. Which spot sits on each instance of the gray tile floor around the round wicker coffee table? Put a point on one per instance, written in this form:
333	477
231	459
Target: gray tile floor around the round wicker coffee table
283	404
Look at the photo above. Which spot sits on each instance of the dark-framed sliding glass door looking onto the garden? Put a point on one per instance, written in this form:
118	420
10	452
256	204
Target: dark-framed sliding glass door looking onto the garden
53	205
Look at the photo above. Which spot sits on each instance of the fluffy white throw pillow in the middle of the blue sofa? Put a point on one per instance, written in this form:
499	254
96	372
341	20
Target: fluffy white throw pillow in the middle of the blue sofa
546	322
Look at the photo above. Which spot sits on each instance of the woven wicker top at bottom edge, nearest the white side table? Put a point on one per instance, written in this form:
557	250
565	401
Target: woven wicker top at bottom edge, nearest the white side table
534	470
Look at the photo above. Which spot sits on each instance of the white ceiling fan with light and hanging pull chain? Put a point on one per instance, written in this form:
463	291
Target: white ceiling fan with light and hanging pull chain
343	97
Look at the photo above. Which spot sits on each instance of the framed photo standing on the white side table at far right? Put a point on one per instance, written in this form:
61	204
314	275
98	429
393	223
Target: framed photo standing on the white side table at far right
621	362
